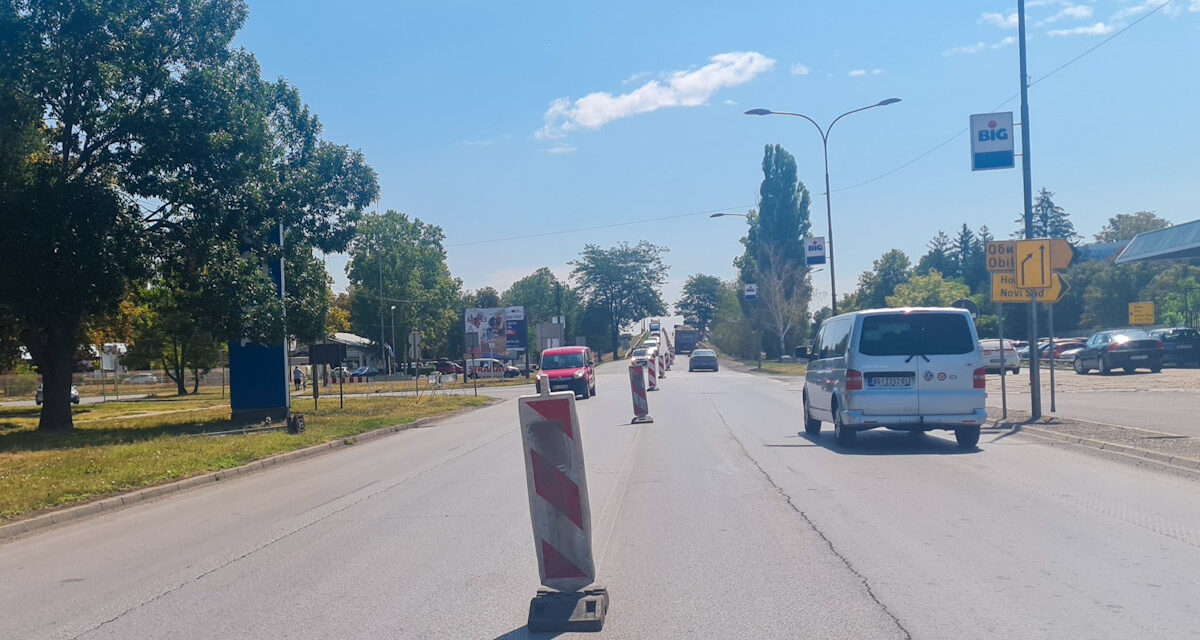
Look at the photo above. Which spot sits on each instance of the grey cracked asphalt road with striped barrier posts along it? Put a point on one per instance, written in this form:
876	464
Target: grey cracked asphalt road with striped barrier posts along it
718	522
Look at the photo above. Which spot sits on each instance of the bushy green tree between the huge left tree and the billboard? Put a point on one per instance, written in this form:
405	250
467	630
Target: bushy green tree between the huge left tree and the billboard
409	259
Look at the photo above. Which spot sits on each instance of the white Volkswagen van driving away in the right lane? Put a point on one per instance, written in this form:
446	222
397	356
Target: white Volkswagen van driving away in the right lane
911	369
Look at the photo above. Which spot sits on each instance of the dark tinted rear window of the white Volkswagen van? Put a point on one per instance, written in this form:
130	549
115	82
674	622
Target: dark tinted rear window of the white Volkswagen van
916	334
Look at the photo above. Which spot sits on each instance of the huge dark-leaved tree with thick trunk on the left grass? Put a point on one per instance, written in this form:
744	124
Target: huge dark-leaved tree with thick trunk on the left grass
134	130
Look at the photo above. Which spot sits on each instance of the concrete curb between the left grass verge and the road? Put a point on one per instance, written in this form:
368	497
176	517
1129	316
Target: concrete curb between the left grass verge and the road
112	504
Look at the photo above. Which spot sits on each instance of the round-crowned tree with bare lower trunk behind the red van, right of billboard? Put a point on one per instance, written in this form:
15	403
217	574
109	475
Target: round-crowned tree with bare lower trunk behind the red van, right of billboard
625	282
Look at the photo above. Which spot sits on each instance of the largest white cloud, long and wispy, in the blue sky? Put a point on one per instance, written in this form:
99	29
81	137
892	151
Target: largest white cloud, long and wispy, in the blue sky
682	89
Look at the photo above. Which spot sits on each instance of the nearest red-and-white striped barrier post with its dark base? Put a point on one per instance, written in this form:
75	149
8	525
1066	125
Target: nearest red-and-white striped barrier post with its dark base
559	510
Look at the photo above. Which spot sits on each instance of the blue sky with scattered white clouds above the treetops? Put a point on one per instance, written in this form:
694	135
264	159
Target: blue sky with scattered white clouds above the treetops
497	121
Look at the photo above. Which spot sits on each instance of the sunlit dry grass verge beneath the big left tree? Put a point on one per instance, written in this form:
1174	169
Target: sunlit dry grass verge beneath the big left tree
121	452
